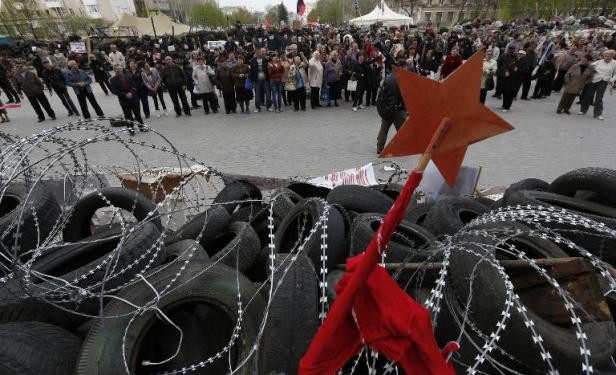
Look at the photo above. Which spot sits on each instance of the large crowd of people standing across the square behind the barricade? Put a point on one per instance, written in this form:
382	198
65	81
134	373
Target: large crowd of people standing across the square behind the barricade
274	71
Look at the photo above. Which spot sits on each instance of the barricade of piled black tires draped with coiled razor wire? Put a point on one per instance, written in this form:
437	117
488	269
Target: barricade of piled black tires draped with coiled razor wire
244	285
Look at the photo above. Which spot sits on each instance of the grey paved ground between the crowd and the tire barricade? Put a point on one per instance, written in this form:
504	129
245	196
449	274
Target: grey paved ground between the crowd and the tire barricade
316	142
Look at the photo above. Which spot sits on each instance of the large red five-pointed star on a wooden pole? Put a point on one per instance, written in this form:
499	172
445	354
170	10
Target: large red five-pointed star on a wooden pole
428	102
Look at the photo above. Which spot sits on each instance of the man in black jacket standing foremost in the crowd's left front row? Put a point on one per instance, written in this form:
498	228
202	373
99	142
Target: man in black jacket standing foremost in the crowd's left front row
126	89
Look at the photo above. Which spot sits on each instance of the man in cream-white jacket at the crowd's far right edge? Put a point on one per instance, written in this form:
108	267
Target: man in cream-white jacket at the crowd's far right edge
605	74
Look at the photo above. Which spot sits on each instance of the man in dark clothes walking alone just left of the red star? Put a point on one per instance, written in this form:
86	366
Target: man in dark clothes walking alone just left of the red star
390	107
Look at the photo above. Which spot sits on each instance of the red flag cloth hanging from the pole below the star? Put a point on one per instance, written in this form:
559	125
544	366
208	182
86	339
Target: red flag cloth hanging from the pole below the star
372	307
